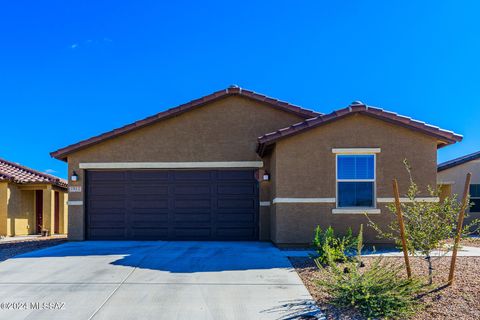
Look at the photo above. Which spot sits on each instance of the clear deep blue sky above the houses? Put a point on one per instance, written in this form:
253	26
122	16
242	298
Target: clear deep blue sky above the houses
71	70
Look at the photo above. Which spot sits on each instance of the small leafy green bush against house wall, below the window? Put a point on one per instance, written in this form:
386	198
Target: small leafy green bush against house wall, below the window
331	248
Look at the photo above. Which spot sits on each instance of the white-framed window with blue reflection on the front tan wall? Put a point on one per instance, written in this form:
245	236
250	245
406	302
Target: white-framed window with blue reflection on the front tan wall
355	180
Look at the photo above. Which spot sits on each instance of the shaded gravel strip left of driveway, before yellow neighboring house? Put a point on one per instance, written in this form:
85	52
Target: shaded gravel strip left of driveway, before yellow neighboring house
11	249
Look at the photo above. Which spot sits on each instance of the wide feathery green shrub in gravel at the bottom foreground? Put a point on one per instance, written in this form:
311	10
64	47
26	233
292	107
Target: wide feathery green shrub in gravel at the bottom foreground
377	291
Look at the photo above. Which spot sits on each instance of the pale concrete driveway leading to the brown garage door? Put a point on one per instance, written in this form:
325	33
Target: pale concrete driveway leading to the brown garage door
153	280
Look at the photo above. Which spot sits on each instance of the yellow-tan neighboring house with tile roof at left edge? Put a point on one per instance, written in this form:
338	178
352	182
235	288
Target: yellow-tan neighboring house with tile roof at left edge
31	201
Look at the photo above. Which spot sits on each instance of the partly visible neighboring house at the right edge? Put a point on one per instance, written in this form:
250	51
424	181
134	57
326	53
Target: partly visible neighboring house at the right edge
451	179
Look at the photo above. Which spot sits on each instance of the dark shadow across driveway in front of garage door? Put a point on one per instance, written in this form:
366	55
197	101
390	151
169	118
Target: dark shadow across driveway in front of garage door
175	256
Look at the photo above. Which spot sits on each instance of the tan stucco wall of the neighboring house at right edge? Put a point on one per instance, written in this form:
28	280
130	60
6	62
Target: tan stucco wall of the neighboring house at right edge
455	176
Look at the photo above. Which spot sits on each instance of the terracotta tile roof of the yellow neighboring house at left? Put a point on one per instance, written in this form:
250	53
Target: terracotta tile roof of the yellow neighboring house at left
14	172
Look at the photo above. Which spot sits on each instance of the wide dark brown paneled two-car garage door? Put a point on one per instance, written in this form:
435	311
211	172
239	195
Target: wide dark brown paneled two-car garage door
172	205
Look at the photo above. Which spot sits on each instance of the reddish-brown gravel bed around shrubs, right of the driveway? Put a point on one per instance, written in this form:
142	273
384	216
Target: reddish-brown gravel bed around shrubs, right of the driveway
460	301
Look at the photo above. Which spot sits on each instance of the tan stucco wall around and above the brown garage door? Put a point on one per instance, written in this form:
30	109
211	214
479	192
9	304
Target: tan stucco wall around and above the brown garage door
225	130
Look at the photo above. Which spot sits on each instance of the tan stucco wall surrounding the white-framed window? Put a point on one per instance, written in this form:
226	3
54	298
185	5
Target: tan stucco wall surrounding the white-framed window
305	168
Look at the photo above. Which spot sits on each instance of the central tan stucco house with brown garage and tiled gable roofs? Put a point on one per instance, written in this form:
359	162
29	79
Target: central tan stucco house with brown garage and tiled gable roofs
237	165
